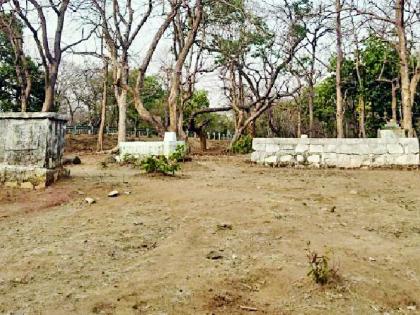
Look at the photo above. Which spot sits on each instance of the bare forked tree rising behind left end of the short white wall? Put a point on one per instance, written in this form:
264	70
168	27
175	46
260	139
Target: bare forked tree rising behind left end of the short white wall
120	29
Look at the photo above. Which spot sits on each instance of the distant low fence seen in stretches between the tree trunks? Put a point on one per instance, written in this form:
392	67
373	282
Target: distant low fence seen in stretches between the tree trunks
140	132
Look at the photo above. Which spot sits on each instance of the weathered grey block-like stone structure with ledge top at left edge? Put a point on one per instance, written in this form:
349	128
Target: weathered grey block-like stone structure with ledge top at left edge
31	148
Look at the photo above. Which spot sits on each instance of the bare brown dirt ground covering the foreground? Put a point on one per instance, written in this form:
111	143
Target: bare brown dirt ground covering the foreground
149	250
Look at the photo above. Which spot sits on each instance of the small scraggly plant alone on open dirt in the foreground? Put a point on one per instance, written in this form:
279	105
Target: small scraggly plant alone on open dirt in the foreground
319	269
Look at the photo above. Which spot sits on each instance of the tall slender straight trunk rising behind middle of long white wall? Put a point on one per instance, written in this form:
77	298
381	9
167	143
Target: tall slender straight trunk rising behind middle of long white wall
339	97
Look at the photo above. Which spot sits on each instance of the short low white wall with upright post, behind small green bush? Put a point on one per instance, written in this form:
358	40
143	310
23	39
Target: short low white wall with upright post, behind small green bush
149	148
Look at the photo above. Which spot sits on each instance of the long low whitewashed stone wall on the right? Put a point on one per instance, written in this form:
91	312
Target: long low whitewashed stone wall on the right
332	152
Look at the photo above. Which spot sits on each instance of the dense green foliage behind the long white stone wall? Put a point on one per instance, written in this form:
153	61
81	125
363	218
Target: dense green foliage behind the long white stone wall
378	59
